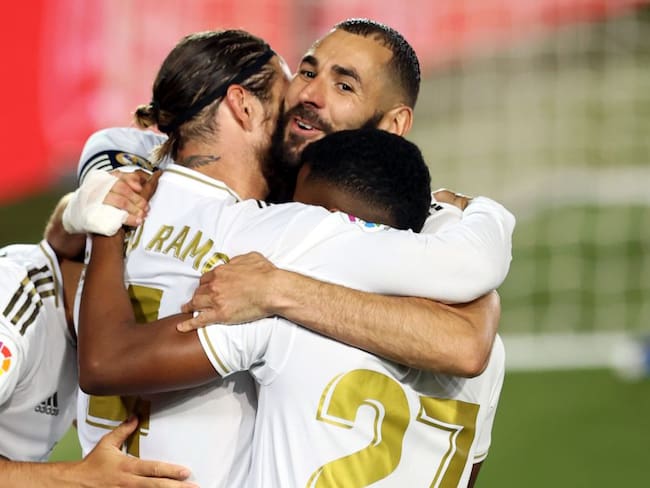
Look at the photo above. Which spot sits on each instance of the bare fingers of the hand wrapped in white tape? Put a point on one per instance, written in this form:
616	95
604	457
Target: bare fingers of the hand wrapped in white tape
127	194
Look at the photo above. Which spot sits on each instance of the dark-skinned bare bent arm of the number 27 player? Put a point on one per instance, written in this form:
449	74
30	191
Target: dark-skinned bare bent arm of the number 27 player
119	356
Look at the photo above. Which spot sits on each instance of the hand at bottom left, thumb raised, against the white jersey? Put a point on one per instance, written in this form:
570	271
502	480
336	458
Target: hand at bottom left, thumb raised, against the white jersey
107	466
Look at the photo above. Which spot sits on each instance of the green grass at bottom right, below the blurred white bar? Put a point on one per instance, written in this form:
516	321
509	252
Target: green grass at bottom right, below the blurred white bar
570	429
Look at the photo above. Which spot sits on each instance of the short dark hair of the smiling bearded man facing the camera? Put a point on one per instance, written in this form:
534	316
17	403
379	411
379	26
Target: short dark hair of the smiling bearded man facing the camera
404	65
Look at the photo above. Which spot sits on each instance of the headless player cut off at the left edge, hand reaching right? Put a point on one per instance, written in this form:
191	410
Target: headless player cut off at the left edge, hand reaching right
38	378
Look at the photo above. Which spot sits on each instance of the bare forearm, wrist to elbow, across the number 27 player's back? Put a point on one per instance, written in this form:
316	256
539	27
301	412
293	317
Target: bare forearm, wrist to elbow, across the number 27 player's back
414	331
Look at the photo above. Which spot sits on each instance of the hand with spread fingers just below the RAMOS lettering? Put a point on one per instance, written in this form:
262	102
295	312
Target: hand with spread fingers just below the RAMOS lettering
232	293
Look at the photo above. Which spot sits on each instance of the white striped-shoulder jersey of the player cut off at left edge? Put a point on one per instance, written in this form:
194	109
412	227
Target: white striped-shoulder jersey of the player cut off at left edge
38	367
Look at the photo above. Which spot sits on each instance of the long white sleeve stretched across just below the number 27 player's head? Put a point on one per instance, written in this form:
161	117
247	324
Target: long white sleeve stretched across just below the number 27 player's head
458	263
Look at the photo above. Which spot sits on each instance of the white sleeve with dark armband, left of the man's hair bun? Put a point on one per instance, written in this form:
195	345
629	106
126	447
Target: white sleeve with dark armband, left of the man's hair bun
119	147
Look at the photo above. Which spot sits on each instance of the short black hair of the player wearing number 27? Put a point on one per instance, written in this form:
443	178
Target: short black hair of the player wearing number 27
382	169
